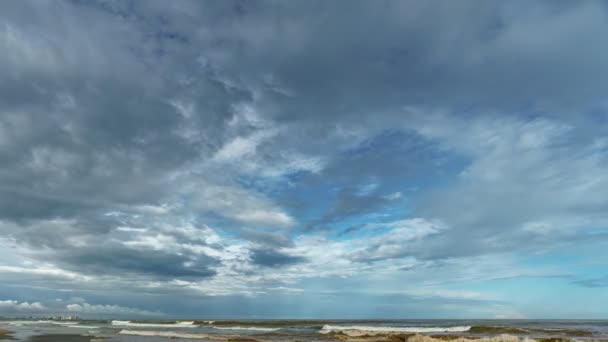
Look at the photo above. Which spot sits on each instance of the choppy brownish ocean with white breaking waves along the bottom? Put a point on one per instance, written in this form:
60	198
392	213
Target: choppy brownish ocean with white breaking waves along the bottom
305	330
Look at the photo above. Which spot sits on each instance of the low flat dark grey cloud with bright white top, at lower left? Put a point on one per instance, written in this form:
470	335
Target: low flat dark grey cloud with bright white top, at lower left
99	250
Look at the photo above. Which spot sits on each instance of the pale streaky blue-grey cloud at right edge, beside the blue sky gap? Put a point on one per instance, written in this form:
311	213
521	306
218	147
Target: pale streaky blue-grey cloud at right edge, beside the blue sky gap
490	199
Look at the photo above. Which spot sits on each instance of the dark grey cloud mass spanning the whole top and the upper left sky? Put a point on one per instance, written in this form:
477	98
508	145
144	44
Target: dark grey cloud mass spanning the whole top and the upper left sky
124	119
